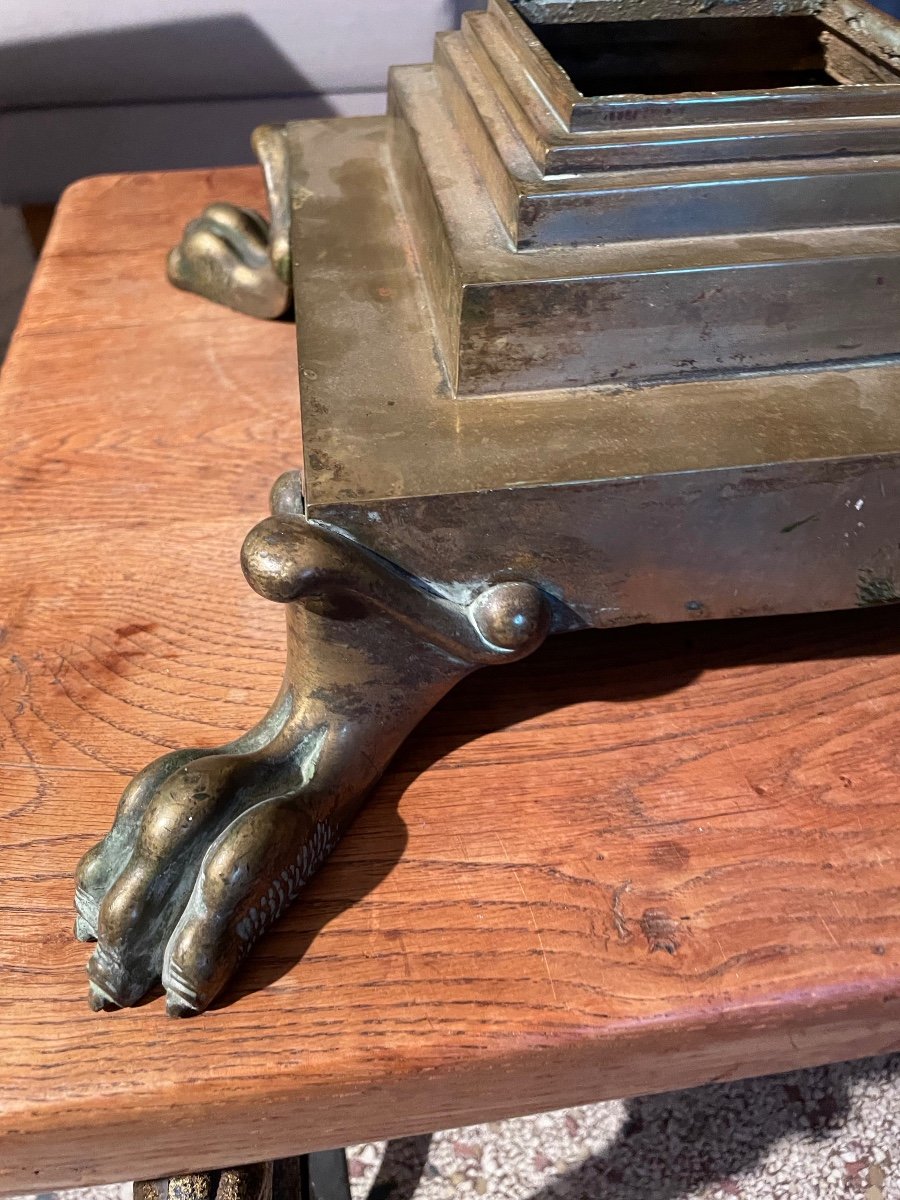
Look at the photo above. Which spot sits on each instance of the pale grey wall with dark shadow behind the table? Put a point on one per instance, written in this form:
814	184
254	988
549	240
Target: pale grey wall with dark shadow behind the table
88	88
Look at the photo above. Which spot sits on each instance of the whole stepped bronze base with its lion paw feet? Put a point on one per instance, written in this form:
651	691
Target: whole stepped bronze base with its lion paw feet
598	326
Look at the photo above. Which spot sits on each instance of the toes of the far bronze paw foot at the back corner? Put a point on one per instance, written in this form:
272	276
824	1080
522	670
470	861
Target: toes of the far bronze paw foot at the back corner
225	256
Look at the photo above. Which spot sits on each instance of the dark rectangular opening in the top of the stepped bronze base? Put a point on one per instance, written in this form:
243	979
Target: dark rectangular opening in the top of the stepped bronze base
659	58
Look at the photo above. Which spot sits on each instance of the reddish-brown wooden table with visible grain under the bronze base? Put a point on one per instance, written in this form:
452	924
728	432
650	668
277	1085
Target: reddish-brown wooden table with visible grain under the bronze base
639	861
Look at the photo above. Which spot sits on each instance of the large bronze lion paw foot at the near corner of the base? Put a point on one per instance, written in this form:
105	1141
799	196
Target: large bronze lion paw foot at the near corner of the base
211	847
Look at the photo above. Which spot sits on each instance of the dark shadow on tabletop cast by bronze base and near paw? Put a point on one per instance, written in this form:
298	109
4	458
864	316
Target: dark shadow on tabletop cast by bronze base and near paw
608	667
